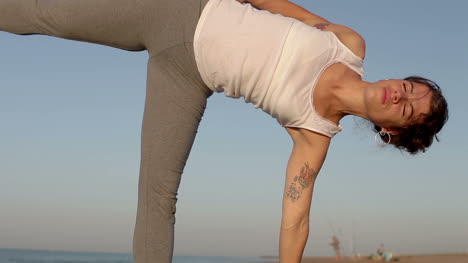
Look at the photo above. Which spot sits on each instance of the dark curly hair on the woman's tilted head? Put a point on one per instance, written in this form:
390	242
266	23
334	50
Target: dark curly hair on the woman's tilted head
419	136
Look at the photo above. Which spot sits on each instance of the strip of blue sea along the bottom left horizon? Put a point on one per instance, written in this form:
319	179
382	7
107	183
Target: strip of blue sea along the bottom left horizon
45	256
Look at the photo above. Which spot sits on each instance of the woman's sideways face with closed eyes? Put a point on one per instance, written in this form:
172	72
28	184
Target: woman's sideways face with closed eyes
397	103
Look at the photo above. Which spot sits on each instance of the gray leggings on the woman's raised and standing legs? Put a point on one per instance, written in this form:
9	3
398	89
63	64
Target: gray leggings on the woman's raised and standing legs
175	99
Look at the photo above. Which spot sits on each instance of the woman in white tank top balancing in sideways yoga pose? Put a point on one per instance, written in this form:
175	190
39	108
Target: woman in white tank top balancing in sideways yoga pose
298	67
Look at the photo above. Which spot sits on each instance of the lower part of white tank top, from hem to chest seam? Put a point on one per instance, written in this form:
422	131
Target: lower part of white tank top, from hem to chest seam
237	47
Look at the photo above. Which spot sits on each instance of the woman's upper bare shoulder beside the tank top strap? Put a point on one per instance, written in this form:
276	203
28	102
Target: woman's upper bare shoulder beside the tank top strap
350	38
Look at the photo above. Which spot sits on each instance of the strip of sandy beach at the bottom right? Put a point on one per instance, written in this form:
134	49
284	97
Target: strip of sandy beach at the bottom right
443	258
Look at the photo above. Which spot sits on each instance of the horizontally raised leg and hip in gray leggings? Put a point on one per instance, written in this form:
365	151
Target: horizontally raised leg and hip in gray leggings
126	24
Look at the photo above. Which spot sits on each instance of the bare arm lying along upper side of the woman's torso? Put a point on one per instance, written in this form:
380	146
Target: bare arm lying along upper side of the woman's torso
288	9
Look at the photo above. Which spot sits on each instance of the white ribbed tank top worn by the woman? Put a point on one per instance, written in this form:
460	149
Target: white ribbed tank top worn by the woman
274	62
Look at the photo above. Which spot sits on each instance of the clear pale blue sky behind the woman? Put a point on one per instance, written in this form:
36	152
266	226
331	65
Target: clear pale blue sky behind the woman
70	139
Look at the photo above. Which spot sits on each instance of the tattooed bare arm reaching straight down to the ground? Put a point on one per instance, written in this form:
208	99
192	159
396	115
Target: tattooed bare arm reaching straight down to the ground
304	164
